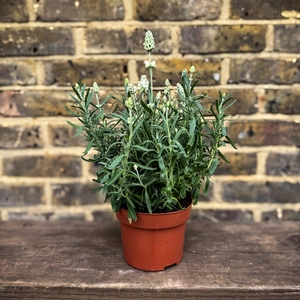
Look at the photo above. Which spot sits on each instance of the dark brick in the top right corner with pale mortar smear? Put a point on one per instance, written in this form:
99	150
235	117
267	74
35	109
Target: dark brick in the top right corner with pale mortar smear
261	9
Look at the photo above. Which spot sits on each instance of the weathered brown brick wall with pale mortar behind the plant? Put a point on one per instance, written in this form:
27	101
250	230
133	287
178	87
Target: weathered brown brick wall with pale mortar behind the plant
248	48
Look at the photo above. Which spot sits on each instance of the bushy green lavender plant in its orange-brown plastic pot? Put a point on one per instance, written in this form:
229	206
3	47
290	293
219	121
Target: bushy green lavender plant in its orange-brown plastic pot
156	152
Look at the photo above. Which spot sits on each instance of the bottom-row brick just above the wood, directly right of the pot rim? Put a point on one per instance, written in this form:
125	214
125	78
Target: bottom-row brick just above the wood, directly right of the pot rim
222	215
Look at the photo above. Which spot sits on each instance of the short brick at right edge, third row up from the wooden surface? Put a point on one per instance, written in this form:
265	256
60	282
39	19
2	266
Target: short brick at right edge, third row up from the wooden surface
283	164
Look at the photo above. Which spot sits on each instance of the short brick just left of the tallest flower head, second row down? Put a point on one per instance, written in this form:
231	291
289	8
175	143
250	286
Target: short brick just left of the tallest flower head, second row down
104	40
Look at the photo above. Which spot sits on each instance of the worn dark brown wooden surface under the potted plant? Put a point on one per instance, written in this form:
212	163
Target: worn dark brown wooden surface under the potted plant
81	260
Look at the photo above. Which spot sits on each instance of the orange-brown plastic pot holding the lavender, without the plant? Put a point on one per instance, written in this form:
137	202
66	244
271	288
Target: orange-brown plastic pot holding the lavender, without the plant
154	241
